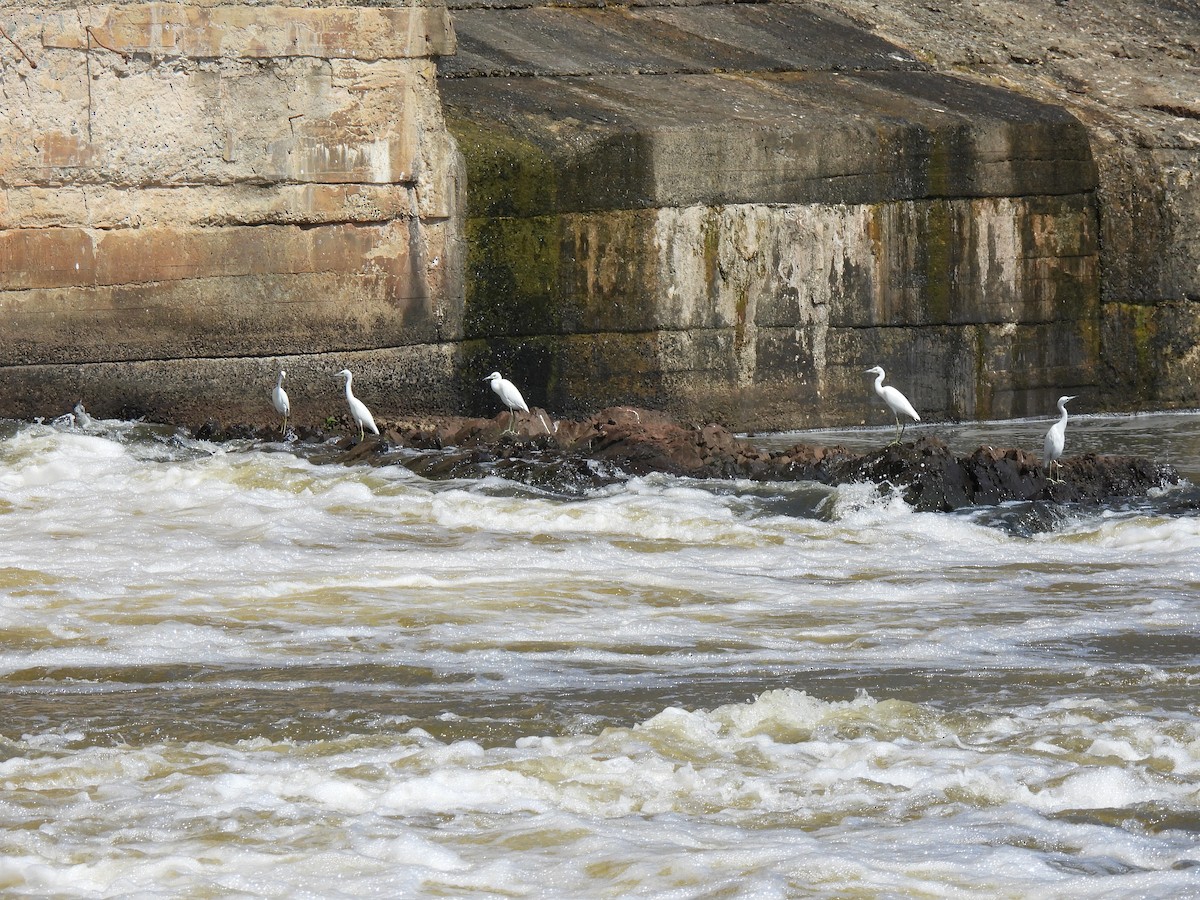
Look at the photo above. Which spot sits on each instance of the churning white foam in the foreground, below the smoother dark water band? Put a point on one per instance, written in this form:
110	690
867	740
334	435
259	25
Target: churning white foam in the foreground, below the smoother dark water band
772	794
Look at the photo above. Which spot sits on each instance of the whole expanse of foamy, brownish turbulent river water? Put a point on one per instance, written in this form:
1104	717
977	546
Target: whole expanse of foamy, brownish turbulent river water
243	671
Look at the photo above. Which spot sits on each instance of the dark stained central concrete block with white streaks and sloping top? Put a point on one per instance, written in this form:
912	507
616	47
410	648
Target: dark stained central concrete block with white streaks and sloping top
730	212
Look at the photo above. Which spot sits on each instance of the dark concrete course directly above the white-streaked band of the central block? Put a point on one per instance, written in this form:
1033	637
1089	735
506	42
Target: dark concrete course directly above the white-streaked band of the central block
620	142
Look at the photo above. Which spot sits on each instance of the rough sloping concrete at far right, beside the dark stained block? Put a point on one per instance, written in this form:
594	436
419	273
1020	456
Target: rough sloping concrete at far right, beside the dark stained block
1129	71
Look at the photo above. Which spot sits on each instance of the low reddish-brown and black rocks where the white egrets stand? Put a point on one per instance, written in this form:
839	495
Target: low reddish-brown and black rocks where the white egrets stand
626	442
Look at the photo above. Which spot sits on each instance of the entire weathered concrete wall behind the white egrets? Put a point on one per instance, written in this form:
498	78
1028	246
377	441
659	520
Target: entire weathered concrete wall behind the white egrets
724	211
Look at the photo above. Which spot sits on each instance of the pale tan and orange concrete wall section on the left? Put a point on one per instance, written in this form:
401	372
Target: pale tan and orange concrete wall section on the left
196	194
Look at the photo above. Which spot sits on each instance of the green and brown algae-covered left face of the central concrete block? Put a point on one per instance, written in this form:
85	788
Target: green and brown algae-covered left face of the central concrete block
548	296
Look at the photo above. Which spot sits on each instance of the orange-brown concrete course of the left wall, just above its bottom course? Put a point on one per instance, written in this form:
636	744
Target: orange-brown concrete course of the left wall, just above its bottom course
76	296
